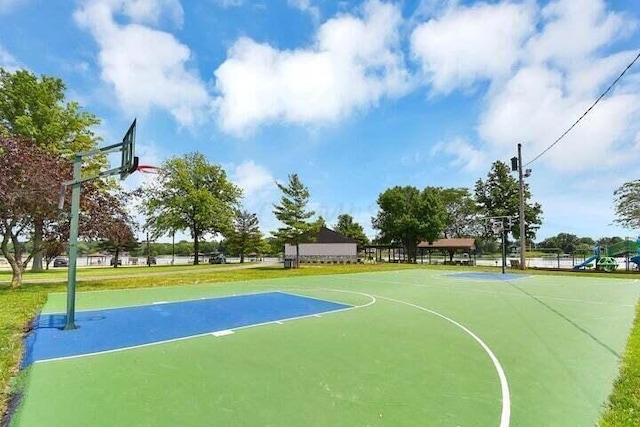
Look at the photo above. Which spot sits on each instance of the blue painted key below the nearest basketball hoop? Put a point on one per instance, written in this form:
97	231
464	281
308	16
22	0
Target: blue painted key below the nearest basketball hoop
104	330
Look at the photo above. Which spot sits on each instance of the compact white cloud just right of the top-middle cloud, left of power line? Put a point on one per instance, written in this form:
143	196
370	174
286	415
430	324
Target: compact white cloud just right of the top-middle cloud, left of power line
467	44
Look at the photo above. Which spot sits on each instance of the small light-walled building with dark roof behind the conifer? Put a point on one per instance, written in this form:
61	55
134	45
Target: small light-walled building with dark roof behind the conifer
327	246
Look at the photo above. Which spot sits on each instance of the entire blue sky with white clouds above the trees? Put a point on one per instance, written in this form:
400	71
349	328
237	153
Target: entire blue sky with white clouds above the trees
356	97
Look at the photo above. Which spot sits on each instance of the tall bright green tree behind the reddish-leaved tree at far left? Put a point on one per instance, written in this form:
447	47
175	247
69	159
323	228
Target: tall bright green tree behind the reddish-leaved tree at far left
34	108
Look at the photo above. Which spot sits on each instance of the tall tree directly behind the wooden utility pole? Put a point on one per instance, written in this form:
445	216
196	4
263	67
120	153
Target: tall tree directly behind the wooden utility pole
499	196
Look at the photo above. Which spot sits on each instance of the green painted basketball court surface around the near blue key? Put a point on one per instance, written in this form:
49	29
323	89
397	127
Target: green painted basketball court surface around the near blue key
416	350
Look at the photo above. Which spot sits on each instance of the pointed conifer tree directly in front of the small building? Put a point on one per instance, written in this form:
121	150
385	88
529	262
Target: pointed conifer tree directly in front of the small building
293	214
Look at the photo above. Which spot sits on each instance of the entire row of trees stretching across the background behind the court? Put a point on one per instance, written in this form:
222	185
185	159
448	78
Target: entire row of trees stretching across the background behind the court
40	129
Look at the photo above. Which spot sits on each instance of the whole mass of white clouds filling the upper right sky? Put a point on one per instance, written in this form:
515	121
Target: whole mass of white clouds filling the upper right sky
544	67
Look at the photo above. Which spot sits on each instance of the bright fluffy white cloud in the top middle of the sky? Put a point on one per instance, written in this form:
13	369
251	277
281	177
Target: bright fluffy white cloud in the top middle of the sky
354	63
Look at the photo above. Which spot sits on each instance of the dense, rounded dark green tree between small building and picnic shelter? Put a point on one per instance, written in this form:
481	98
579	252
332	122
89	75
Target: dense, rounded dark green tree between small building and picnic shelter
408	216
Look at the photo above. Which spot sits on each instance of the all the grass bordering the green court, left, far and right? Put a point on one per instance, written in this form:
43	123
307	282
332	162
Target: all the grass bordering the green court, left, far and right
18	307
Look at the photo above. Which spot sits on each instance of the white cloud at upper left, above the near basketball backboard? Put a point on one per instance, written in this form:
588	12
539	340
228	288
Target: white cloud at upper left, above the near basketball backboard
146	67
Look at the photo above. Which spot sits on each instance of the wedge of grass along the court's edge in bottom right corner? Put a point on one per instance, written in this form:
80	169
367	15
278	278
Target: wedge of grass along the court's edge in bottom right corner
624	403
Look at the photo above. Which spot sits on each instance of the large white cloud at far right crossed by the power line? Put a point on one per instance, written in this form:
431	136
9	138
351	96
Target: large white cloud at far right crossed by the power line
562	75
